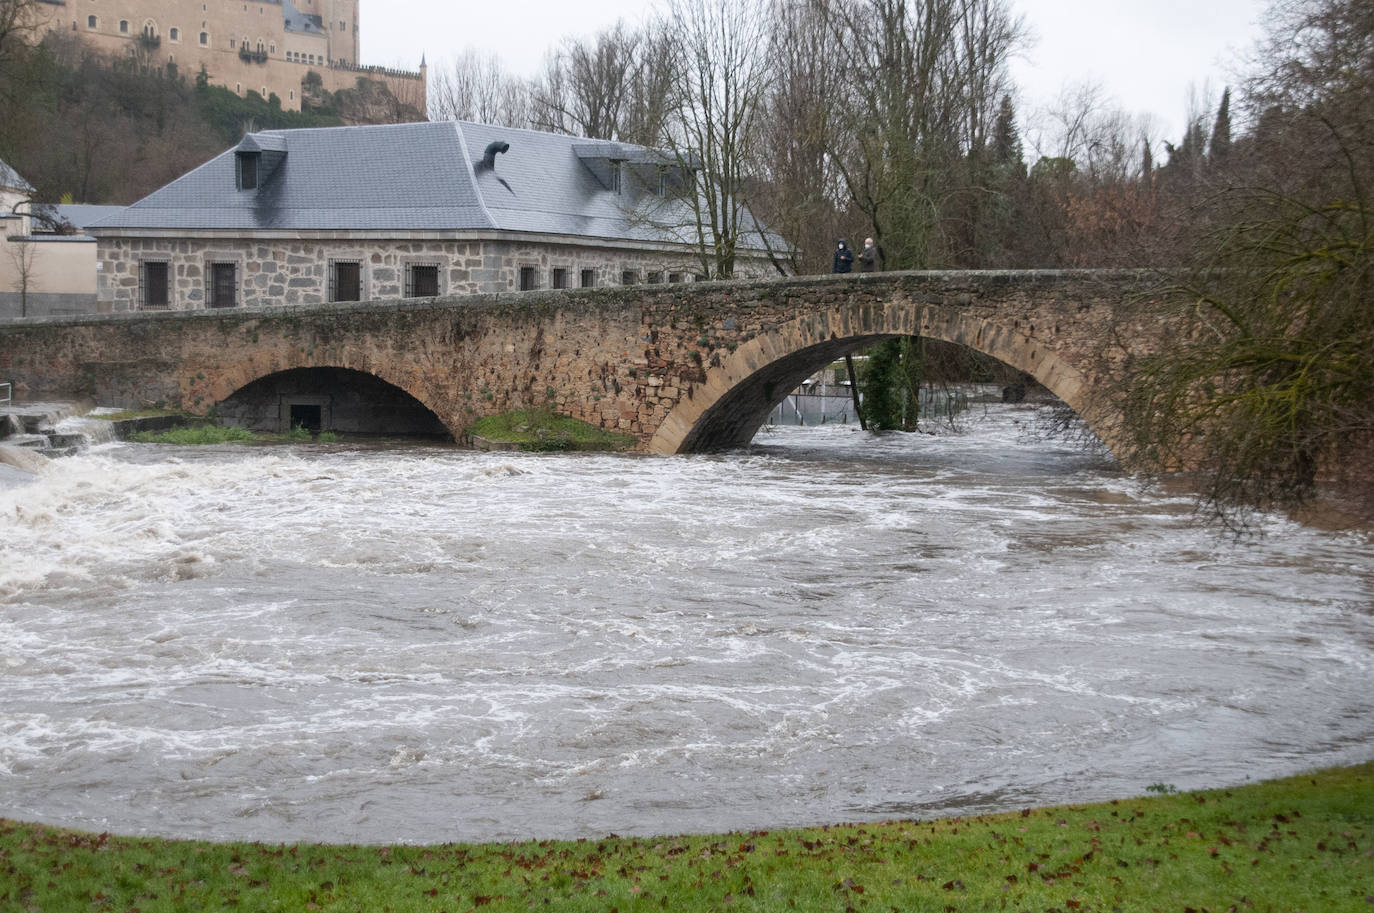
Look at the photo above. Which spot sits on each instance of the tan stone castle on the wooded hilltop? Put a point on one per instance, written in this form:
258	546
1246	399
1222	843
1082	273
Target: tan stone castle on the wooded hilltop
271	47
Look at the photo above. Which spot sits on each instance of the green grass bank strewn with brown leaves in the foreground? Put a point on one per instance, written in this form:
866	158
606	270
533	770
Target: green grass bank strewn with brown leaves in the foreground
1302	844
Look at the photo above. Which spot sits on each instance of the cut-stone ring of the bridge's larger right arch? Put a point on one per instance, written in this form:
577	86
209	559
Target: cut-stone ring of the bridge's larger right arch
737	397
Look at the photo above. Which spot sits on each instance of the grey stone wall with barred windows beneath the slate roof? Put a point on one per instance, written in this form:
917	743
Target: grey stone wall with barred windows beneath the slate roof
297	272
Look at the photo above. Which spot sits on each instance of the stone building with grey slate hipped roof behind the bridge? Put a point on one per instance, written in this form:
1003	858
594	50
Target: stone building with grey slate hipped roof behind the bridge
308	217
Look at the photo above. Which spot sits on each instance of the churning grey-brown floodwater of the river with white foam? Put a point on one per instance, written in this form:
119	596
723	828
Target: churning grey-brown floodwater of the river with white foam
377	646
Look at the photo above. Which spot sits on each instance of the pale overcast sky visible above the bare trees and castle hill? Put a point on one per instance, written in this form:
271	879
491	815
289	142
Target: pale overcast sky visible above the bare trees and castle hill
1148	57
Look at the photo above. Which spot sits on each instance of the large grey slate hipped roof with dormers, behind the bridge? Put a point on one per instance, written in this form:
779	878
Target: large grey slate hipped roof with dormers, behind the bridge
410	177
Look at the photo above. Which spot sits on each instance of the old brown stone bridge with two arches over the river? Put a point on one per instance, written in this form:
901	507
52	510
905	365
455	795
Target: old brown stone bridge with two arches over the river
682	368
